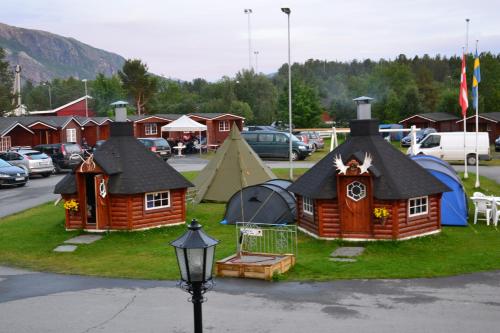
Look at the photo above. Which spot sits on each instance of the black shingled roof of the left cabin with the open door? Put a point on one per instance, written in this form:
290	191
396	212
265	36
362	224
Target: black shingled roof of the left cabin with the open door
131	166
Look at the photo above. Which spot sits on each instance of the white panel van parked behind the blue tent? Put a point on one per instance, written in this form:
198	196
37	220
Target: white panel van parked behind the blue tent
449	146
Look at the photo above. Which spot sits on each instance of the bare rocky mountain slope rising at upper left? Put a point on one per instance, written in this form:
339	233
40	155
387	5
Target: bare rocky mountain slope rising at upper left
44	56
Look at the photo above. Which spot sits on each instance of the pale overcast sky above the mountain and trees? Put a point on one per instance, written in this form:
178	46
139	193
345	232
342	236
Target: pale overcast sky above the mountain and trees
186	39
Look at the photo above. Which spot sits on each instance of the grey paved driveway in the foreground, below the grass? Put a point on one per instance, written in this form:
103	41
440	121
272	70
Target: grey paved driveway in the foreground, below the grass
39	302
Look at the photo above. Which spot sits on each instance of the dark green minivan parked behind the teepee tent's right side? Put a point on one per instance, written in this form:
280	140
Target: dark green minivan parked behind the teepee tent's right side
276	144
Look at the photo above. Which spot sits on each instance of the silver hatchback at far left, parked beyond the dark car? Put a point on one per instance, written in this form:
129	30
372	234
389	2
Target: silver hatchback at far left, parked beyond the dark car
33	161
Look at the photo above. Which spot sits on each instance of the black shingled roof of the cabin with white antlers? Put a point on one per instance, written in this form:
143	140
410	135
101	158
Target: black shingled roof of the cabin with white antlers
395	175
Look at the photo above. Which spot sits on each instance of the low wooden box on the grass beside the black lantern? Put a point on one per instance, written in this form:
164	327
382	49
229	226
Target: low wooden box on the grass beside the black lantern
254	265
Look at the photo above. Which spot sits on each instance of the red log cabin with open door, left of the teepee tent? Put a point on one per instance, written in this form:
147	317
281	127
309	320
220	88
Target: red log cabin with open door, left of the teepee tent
124	186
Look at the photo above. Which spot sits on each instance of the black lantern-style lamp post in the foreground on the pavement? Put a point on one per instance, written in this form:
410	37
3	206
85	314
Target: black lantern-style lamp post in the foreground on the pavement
195	252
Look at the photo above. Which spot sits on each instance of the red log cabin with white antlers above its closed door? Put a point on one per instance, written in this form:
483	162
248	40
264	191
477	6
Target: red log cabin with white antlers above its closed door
339	196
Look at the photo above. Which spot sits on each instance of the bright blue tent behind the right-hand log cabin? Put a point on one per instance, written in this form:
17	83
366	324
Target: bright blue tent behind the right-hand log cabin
454	208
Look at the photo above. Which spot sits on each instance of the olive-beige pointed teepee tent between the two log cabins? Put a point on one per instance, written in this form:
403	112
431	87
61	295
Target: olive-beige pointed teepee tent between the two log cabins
234	166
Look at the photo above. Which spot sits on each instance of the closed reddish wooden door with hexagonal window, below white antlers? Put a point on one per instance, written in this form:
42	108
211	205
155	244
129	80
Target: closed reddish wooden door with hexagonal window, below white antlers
354	196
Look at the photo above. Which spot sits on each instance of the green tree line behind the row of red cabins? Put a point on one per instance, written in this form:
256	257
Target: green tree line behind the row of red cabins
401	87
